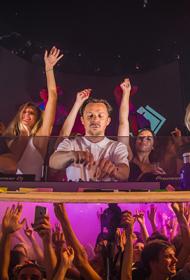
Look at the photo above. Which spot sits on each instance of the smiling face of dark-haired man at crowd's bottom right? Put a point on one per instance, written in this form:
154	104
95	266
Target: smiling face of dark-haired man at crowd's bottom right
166	264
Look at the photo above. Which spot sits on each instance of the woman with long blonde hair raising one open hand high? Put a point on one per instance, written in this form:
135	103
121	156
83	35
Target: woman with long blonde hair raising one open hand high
30	121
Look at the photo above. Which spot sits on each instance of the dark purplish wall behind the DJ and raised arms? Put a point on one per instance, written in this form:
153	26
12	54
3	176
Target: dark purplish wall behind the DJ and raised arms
160	88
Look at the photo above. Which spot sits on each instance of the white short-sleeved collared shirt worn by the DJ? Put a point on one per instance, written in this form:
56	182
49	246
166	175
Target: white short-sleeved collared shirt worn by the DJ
114	151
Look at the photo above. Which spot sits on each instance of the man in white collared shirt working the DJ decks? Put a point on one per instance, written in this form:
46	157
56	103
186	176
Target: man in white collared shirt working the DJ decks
93	156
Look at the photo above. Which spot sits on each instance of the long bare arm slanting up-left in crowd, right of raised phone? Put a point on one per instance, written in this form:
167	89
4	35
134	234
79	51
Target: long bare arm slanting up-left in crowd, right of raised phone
81	258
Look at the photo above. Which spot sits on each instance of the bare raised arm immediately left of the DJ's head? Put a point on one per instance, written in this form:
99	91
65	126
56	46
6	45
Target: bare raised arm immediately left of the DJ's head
70	120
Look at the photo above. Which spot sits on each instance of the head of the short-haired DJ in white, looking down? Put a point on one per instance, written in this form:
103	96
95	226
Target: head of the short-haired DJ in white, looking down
95	119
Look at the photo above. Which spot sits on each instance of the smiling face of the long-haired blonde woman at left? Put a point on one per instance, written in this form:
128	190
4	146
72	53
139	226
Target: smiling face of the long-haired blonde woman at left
28	117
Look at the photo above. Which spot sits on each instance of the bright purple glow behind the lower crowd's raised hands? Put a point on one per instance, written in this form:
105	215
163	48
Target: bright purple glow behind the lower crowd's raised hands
84	217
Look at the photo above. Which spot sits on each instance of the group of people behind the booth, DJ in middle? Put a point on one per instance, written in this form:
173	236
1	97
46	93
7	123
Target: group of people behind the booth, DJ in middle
92	156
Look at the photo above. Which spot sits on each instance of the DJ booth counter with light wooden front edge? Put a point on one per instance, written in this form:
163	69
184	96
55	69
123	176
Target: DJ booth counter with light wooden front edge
89	192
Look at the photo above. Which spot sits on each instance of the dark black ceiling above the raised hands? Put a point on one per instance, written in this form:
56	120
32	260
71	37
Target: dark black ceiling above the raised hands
99	36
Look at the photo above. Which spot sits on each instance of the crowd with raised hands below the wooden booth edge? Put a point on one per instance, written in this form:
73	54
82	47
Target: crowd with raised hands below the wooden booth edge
160	253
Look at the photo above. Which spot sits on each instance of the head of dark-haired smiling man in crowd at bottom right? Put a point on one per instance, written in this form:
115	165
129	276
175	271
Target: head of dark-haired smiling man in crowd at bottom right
158	257
